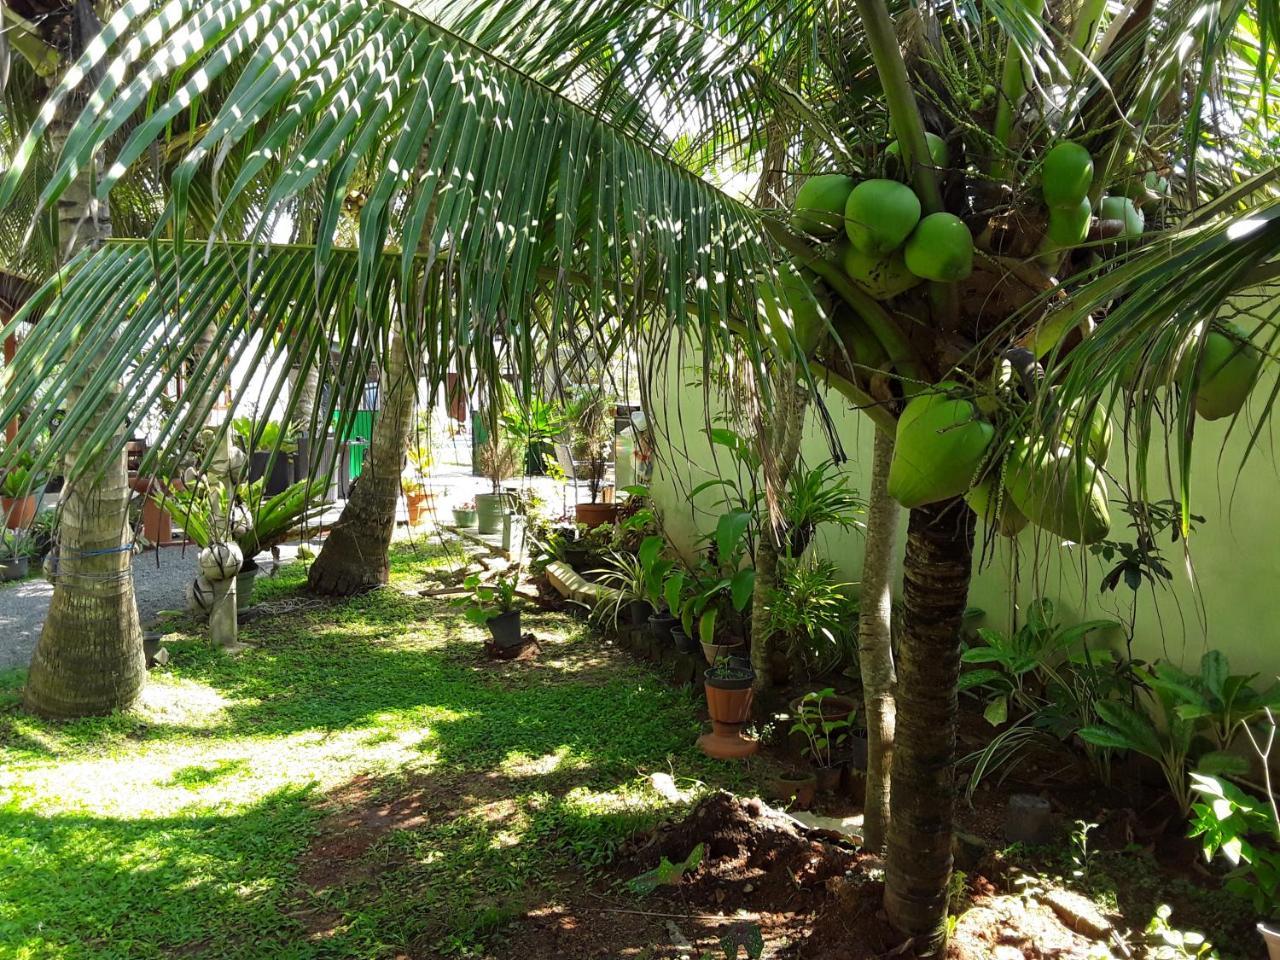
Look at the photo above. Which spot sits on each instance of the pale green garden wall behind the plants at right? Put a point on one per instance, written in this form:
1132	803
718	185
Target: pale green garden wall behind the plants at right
1229	602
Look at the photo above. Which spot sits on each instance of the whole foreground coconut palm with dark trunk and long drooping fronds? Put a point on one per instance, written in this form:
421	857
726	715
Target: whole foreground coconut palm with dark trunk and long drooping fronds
519	170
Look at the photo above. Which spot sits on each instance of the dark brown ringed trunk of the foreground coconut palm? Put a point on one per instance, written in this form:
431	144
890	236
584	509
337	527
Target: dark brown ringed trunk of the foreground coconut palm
938	569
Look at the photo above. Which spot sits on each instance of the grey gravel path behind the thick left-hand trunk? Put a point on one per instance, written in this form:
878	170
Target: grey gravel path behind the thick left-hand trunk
161	582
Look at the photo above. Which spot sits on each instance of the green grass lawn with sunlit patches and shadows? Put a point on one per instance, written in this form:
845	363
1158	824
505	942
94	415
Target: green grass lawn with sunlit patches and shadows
362	785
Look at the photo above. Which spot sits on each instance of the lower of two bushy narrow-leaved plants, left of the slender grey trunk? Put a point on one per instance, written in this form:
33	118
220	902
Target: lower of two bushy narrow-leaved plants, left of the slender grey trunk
811	616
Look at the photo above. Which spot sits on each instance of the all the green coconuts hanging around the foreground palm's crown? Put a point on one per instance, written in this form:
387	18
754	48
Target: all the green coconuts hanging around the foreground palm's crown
945	445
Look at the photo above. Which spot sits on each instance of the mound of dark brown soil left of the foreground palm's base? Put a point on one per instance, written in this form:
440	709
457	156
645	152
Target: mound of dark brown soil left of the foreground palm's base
752	854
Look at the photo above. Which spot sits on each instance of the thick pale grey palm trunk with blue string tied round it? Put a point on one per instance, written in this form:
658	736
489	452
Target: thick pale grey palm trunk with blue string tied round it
89	660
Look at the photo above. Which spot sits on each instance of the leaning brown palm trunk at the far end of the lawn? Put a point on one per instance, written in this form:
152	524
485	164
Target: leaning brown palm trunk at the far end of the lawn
355	556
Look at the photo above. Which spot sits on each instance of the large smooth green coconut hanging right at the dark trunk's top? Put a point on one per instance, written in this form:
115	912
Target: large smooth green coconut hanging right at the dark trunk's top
940	447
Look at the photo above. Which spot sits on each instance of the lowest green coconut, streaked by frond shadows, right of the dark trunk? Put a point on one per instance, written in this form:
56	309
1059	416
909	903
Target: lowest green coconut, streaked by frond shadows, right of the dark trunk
1059	491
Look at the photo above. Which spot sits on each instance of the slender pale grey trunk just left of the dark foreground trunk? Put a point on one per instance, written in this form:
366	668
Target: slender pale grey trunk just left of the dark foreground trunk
875	643
